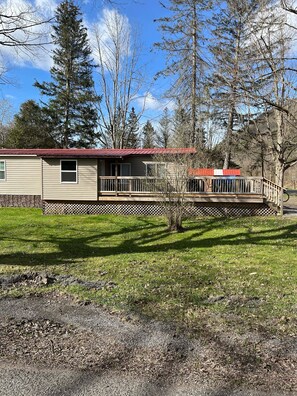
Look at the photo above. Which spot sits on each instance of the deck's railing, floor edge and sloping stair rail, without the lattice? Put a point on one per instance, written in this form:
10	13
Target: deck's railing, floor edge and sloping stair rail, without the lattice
196	189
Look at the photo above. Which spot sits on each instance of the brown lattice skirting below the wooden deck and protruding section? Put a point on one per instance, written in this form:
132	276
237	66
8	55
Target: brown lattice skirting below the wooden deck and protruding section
153	209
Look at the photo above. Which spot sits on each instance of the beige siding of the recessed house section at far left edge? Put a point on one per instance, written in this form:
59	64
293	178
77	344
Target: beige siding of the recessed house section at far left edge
22	176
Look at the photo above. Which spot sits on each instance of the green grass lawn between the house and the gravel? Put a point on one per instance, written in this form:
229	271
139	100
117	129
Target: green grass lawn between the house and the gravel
221	273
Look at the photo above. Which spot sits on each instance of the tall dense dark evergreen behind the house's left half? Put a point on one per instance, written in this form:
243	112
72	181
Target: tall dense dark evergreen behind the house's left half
72	98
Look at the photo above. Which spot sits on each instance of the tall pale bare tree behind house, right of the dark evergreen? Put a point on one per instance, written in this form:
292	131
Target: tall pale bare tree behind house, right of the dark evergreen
120	78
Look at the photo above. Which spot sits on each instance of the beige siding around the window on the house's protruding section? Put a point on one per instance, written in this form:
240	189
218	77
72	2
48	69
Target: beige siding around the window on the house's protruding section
84	190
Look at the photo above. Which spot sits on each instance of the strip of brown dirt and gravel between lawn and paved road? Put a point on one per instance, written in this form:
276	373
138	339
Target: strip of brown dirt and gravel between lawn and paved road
56	331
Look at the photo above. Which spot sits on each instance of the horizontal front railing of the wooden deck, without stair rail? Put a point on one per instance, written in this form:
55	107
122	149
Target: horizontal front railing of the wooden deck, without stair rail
202	185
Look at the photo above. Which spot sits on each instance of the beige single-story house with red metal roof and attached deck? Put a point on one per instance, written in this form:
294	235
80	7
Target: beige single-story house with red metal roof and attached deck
123	181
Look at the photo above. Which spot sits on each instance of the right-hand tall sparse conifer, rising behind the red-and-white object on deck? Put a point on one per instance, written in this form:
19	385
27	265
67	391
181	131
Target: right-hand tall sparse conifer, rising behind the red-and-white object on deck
233	58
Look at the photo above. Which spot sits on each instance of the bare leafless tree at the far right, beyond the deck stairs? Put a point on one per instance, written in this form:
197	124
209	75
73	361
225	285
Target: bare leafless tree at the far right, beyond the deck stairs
276	96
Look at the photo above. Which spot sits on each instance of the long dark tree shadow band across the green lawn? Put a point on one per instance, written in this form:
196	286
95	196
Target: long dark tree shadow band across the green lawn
145	238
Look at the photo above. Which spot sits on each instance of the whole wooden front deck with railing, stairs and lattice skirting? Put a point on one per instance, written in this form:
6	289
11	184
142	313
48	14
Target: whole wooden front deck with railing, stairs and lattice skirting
207	196
